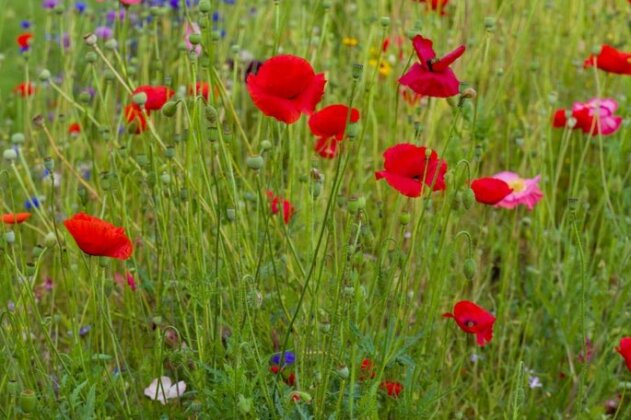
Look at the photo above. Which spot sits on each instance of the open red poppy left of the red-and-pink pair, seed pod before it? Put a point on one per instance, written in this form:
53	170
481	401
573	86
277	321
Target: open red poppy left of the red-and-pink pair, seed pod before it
407	168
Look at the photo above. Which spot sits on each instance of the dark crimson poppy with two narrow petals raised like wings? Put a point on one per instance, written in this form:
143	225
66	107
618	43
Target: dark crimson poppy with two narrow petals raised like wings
432	76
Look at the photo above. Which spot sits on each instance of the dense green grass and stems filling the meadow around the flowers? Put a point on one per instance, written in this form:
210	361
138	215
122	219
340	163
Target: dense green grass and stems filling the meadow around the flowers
221	280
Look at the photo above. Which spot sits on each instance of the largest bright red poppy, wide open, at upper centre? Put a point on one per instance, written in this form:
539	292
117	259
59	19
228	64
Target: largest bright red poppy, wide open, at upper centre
285	87
